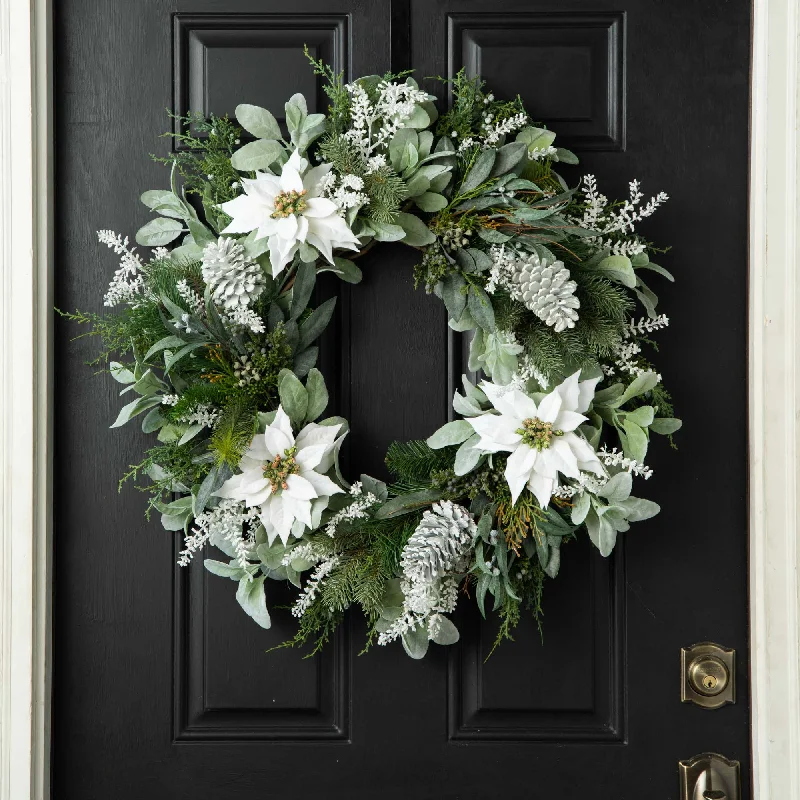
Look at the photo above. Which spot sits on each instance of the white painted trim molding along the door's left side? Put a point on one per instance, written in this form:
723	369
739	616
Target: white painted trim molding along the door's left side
25	367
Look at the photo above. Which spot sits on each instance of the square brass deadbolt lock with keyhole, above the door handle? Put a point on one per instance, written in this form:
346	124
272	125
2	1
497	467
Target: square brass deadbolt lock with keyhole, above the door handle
707	675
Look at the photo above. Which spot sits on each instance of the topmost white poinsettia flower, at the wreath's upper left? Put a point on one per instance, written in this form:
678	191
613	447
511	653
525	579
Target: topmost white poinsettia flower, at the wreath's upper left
288	209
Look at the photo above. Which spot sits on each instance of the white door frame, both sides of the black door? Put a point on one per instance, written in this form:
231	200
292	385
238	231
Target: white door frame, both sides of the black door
26	258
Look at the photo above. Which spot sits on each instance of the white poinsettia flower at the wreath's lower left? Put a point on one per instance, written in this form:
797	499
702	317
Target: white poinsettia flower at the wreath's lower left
283	476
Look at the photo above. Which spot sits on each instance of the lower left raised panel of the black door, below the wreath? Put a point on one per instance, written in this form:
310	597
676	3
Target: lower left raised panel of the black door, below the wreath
228	687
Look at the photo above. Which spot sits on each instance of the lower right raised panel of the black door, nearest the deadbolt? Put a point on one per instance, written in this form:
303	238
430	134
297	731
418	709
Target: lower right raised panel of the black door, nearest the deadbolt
570	687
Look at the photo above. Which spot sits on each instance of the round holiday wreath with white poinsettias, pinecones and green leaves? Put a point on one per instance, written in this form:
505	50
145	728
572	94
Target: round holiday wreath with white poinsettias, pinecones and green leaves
216	345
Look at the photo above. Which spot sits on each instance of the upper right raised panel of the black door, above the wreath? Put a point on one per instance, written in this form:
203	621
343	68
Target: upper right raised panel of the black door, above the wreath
577	58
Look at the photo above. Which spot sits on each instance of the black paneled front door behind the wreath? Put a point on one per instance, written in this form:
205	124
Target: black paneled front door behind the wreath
163	688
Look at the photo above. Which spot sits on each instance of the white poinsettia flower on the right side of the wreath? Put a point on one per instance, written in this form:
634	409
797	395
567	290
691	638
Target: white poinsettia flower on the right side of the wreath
540	437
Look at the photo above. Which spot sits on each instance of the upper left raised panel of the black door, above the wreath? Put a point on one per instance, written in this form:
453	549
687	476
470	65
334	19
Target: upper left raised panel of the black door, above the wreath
221	60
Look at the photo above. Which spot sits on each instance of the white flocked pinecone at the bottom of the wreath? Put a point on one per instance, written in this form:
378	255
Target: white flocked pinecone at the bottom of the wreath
440	545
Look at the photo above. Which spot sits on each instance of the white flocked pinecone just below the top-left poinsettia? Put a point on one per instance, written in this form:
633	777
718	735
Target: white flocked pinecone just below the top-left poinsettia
235	281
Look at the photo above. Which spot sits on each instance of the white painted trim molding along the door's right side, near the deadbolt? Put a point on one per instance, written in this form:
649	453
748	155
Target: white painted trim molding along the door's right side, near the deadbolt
774	371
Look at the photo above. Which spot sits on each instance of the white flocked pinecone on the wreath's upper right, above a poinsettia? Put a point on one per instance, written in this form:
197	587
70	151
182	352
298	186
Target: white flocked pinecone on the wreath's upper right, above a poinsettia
547	291
